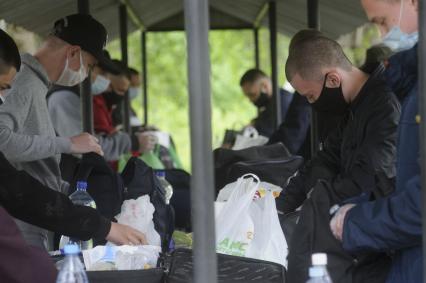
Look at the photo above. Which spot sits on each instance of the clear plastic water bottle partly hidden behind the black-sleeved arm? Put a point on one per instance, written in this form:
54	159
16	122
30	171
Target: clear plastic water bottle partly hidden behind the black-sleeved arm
79	197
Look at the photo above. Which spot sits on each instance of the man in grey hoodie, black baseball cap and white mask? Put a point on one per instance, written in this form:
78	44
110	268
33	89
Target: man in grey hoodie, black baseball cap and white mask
27	137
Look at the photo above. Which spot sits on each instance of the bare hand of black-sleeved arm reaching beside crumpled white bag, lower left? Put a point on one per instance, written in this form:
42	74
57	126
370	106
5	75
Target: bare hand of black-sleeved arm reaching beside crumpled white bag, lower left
125	235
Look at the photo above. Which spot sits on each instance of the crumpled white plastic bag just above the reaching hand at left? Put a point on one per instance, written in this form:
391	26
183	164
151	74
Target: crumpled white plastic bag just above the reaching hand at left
138	214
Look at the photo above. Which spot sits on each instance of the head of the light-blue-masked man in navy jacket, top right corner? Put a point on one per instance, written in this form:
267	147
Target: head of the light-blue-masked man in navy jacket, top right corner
397	21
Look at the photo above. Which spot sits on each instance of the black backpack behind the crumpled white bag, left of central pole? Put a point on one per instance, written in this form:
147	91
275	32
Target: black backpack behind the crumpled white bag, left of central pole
139	179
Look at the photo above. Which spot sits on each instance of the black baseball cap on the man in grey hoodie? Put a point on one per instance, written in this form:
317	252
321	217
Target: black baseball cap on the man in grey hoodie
86	32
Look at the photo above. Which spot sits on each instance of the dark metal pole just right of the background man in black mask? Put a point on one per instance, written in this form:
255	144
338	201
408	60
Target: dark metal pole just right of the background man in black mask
274	62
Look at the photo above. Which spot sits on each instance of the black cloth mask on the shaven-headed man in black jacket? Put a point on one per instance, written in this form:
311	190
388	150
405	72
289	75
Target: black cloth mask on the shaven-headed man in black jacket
331	100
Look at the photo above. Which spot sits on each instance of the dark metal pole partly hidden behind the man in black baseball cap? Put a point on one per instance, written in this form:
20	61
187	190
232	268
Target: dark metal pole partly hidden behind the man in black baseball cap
86	102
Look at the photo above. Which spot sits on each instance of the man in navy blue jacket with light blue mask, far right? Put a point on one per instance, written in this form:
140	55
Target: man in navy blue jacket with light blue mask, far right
393	224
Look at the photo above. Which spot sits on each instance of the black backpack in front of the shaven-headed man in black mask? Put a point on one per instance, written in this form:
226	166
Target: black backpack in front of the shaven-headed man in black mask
312	234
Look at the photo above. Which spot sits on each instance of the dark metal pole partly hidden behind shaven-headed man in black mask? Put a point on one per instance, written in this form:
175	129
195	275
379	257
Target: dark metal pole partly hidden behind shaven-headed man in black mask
314	22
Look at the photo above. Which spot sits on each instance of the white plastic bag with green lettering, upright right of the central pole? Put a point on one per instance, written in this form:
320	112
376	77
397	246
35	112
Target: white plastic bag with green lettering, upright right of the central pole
248	226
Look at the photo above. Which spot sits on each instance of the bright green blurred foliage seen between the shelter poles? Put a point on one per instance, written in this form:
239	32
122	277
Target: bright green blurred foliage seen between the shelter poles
232	53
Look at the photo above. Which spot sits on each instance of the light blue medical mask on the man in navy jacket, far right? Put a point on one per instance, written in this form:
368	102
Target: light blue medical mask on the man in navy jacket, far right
396	39
